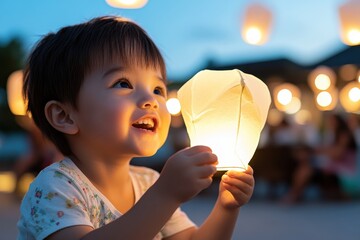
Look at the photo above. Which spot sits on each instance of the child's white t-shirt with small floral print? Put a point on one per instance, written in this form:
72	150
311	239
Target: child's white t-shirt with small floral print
62	196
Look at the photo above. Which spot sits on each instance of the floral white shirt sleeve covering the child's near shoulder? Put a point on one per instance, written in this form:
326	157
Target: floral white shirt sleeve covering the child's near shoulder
53	202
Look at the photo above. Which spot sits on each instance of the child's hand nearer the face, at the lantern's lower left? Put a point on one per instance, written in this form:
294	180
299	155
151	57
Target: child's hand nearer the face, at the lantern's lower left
188	172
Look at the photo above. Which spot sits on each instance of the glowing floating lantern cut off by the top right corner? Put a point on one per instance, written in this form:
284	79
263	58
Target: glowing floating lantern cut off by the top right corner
349	14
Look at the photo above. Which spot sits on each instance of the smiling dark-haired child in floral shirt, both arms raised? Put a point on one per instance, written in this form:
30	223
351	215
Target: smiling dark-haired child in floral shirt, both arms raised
98	91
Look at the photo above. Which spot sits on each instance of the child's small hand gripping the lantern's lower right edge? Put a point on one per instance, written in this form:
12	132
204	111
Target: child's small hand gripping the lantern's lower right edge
236	188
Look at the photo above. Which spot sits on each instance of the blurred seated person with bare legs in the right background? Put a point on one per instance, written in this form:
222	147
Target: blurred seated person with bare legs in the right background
324	164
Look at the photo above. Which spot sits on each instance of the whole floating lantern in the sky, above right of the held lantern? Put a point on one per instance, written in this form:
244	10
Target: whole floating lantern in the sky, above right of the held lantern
256	24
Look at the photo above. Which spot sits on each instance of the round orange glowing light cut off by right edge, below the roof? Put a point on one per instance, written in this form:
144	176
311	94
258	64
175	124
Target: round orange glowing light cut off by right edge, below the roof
350	97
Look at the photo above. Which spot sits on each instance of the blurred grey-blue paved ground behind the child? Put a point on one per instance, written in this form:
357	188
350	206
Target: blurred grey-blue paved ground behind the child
259	220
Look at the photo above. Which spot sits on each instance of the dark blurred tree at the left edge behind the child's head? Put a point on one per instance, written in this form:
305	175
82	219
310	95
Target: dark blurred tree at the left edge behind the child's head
12	55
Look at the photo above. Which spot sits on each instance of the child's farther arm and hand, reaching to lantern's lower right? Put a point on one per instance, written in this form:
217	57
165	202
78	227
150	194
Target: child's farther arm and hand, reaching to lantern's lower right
235	190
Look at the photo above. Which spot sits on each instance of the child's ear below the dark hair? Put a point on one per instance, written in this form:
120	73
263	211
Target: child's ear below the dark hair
59	117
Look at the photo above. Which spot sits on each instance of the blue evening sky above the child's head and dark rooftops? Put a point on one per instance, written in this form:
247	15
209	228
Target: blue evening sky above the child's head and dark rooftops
191	32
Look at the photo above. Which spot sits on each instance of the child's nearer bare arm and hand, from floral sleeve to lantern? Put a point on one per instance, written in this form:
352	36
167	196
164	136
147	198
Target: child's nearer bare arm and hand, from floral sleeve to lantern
184	175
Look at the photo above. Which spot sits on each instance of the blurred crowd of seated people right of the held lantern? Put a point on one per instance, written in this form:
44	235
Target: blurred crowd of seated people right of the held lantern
325	156
